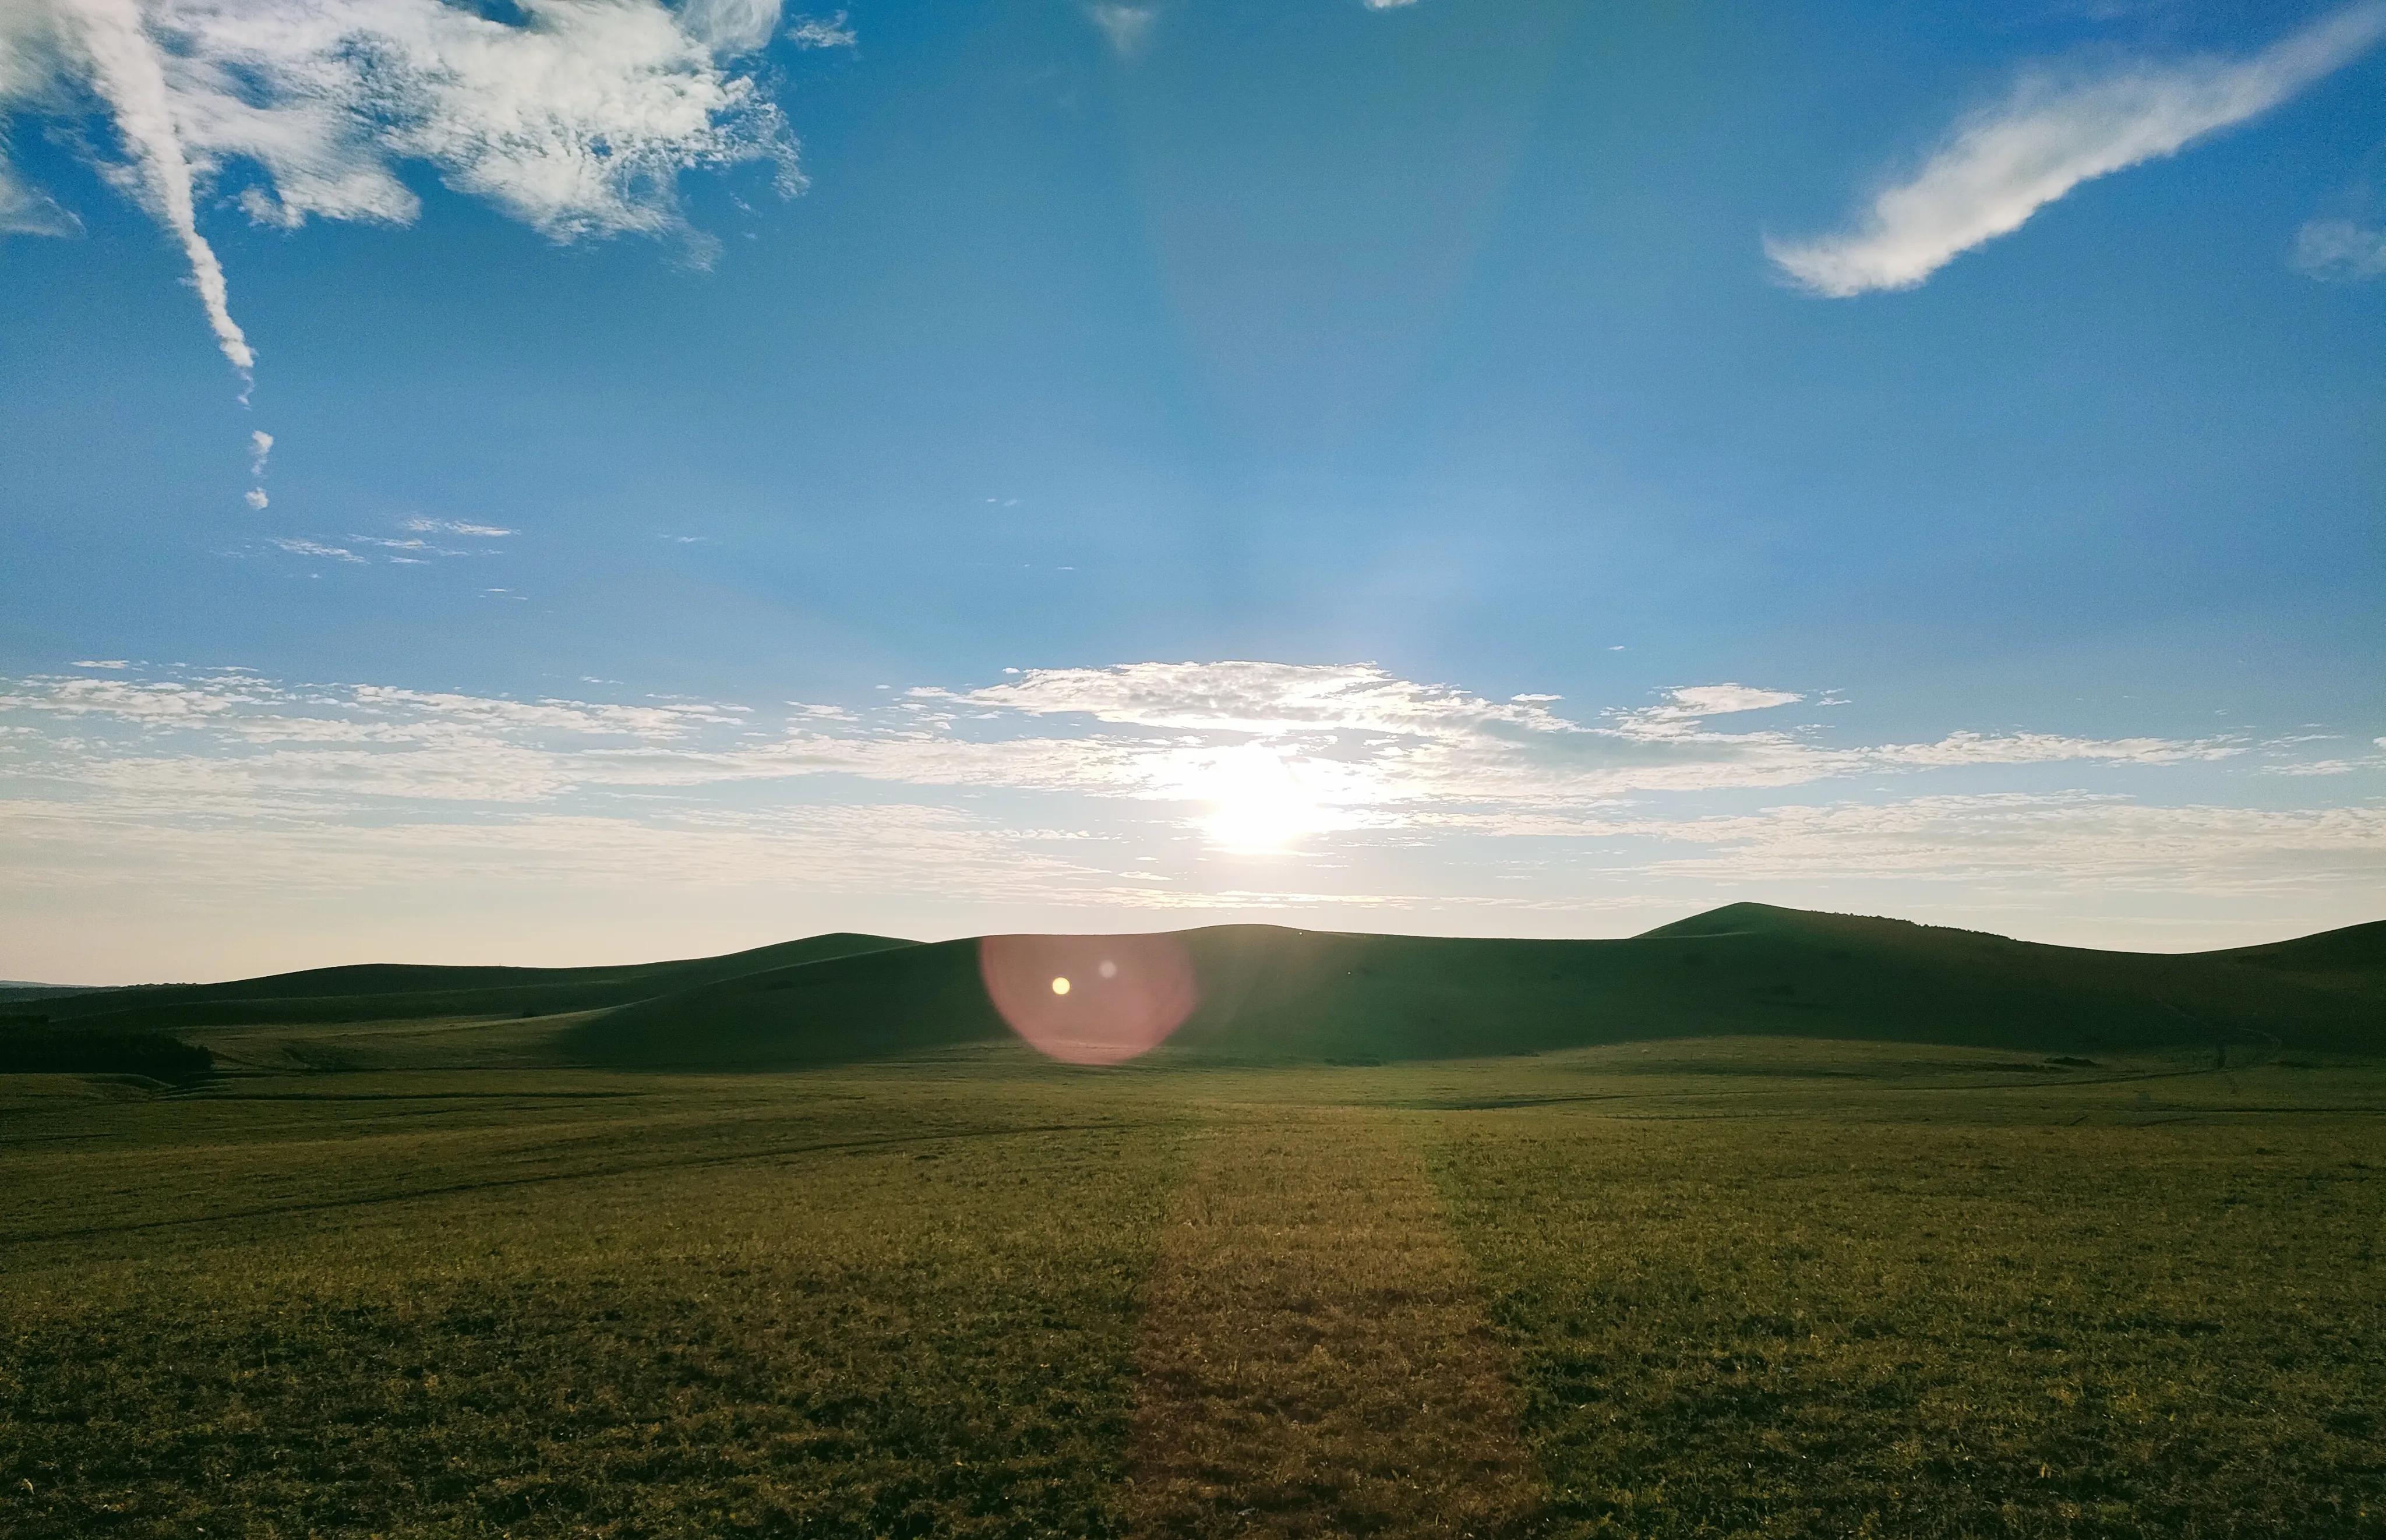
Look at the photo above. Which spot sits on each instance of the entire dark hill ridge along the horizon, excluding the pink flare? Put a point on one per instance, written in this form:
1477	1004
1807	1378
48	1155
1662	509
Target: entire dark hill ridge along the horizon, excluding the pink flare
1273	995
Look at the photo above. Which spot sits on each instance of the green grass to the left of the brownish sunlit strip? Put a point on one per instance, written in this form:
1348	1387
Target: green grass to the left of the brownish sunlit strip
691	1310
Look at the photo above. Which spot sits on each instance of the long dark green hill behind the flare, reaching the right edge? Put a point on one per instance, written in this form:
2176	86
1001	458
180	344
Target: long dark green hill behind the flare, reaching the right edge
1294	995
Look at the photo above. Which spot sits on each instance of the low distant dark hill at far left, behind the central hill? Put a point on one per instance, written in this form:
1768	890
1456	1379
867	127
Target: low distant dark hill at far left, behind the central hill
414	993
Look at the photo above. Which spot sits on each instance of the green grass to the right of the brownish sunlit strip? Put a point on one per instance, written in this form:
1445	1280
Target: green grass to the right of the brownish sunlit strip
1941	1319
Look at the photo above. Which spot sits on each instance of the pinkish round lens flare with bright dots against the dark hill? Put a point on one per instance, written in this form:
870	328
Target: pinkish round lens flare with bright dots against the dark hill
1089	1000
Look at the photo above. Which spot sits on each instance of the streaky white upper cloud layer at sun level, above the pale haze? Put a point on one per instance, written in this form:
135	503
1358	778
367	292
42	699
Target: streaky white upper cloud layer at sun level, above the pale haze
1364	747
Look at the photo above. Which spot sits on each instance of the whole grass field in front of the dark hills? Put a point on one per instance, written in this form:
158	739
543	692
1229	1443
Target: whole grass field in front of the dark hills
1688	1288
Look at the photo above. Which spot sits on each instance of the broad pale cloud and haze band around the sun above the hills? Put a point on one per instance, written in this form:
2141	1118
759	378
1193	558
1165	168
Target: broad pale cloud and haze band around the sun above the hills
1154	778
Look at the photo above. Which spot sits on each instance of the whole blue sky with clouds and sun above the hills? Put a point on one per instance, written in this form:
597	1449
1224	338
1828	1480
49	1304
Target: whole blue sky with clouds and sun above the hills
598	480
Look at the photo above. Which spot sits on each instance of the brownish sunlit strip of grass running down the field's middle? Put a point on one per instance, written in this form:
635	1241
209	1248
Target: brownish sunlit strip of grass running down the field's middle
1316	1358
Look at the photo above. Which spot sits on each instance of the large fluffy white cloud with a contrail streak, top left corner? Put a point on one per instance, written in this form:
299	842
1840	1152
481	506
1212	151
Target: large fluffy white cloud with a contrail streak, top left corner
576	120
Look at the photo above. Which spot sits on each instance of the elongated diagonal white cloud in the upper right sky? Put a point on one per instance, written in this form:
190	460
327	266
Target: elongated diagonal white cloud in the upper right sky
2003	166
